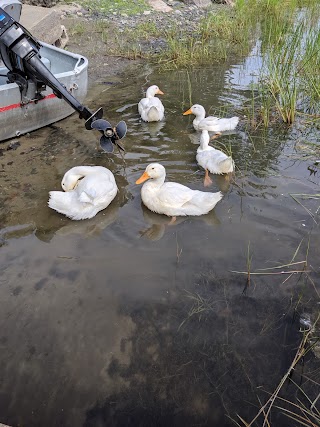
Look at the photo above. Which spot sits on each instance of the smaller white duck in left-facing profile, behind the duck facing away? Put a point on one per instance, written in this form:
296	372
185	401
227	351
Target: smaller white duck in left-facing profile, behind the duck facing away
210	123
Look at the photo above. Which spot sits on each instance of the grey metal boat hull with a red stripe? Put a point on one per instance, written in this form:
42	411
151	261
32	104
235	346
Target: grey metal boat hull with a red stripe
15	119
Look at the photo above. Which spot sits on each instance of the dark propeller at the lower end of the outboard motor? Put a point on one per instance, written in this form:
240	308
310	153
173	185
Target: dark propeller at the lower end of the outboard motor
110	135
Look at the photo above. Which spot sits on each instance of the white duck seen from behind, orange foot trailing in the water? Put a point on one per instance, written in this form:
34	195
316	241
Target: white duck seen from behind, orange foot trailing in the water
212	160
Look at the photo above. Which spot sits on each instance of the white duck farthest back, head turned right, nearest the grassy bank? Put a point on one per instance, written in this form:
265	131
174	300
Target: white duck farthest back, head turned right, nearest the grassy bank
151	108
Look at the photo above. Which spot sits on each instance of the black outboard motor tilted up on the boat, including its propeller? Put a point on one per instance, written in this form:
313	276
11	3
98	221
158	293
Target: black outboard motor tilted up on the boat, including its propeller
19	51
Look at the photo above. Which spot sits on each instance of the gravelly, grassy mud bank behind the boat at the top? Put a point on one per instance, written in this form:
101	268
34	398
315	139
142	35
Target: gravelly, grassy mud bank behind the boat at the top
97	34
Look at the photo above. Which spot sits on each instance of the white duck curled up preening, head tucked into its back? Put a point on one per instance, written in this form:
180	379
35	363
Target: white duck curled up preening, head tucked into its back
88	190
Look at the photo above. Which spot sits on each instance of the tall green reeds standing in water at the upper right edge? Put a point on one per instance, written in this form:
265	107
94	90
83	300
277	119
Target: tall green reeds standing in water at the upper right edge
289	80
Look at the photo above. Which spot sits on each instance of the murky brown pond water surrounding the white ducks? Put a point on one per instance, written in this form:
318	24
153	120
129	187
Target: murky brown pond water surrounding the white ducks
124	320
